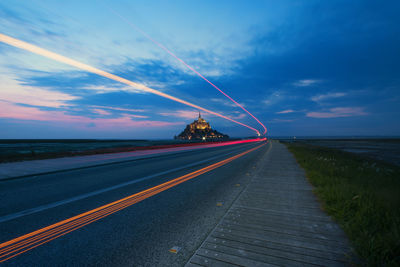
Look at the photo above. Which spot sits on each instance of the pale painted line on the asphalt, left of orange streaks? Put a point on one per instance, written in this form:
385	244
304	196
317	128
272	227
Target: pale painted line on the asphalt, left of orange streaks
19	214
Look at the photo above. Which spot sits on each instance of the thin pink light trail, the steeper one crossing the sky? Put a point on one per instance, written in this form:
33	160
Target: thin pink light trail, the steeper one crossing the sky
187	65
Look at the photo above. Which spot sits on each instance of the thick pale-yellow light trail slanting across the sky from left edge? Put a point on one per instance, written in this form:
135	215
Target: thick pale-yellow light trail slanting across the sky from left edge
57	57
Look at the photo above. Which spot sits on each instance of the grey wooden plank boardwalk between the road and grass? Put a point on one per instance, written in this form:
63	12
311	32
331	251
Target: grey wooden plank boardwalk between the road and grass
276	220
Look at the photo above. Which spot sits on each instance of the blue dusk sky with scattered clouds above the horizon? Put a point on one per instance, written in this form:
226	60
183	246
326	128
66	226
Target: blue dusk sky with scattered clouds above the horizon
303	68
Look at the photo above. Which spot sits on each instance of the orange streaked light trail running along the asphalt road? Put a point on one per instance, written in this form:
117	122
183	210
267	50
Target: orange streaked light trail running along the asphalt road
22	244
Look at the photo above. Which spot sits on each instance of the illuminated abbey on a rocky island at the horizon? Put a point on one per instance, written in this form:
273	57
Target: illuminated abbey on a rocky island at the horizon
200	130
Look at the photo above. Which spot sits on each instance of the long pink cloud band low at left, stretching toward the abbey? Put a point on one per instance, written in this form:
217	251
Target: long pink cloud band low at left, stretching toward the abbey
11	111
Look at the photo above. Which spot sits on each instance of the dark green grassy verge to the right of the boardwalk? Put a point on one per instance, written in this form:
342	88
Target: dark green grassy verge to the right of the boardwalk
362	195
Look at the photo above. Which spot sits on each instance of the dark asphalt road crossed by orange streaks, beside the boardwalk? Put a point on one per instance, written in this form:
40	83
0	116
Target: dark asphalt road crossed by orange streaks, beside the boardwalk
139	235
